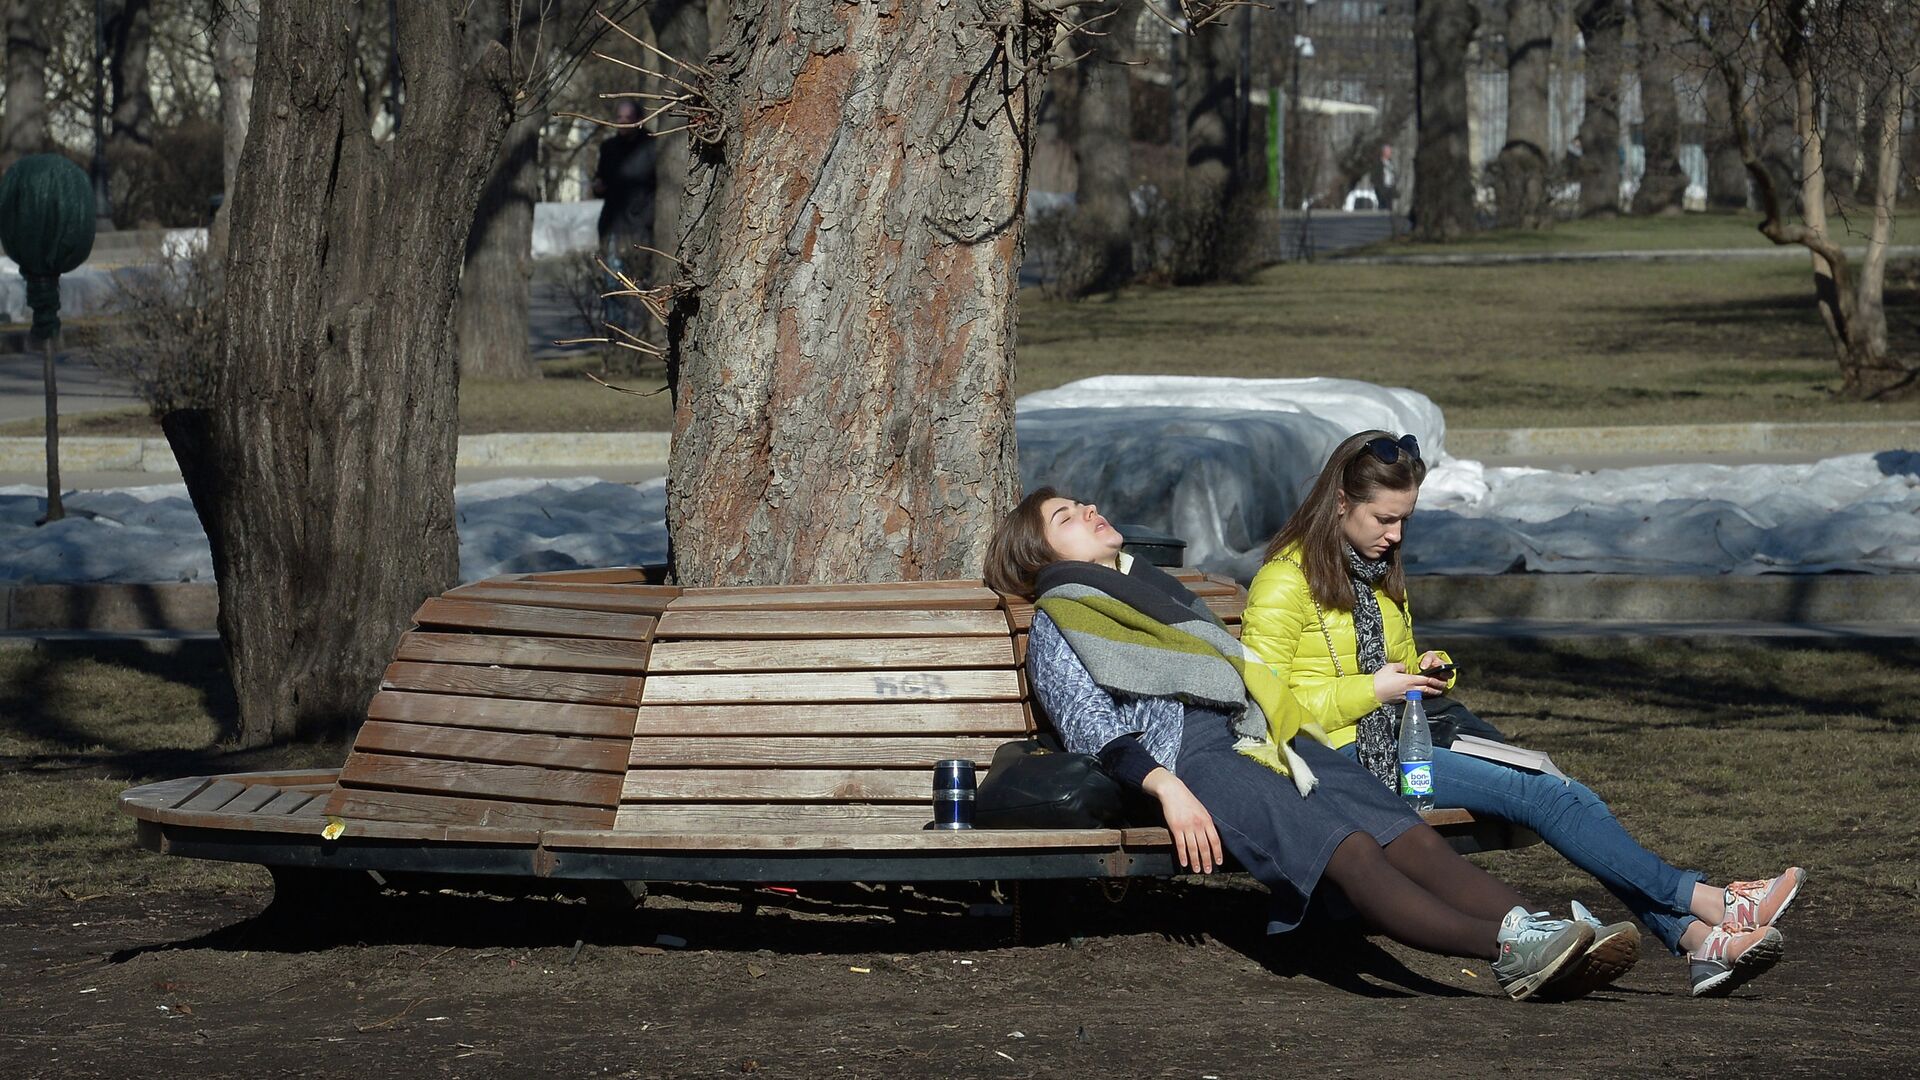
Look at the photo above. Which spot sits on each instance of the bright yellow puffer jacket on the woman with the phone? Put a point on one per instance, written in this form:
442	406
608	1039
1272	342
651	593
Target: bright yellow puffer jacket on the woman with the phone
1282	627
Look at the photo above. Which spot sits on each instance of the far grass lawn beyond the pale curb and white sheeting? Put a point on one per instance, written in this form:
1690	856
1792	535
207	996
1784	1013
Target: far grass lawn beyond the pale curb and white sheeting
1497	347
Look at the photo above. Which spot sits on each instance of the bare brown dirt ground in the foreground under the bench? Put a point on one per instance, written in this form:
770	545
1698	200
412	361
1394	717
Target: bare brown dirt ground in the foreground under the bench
1176	979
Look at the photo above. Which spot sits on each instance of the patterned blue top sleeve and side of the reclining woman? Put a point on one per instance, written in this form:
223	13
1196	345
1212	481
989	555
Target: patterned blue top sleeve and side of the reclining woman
1090	718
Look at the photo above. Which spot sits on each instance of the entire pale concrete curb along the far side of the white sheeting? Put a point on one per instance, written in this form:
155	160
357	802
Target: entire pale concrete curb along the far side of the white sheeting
548	451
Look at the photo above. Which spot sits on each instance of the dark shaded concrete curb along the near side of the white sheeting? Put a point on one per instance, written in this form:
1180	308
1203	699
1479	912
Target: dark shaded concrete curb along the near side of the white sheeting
1564	604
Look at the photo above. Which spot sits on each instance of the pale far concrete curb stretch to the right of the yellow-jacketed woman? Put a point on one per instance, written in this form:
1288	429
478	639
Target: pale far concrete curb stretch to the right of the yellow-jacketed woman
1861	437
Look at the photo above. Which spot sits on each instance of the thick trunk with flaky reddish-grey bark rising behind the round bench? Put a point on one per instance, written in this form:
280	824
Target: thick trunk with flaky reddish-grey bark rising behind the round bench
846	358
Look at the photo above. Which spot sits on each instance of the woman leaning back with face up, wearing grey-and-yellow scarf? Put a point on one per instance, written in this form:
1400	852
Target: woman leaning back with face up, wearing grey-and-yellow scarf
1136	670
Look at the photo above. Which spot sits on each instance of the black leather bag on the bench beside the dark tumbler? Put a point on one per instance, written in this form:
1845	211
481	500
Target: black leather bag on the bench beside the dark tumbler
1036	785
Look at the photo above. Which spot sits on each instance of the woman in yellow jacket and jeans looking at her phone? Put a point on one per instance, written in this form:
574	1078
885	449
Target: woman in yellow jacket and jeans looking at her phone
1330	612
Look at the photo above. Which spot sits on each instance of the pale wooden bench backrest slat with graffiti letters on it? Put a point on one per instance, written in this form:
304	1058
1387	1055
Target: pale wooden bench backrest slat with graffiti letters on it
992	685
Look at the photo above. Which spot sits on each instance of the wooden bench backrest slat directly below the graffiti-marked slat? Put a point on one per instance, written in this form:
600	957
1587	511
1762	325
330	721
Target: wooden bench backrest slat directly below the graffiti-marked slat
969	718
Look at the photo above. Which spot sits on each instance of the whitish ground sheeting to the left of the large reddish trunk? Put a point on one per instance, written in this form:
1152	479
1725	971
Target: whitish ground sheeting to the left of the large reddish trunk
153	535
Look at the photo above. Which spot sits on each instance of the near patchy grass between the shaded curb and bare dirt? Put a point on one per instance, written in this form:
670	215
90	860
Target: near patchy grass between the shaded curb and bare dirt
1729	758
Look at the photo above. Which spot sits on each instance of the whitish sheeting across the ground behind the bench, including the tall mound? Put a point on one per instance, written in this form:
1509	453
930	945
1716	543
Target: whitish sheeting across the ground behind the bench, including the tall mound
1216	462
